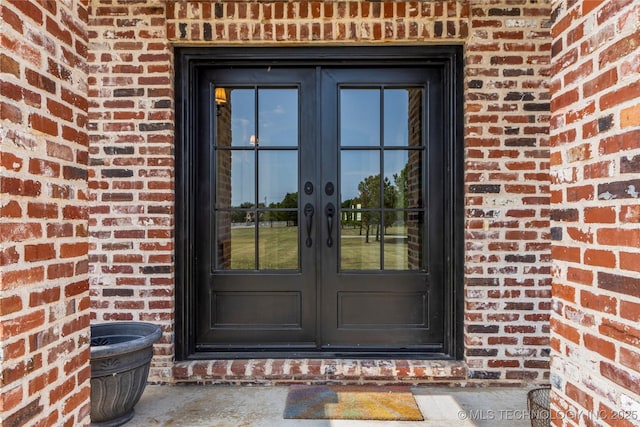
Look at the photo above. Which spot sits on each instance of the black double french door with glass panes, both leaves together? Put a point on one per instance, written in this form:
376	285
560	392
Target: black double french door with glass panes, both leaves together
320	208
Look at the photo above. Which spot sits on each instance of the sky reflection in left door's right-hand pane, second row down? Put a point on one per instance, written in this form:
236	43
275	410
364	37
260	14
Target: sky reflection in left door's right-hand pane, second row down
278	173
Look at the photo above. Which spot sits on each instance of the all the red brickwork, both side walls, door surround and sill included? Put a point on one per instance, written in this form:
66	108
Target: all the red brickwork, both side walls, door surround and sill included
46	228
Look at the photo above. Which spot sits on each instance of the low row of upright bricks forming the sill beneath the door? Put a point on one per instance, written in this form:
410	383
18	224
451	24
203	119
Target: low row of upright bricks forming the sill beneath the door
342	371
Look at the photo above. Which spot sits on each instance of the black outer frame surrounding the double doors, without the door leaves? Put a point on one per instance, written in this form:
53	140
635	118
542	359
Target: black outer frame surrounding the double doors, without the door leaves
189	61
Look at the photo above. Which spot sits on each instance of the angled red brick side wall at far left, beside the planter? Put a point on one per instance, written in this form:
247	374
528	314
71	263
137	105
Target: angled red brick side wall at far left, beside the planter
44	292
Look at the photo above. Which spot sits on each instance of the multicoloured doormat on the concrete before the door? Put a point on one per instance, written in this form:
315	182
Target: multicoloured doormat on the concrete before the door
351	403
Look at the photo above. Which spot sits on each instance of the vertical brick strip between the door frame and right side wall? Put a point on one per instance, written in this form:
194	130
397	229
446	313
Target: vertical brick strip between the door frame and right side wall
507	270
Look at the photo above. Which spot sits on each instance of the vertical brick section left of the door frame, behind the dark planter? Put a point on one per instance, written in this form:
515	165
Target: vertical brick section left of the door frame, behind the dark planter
132	165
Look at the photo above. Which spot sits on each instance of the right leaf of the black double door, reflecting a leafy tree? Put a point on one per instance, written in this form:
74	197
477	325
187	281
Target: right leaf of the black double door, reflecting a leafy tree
378	285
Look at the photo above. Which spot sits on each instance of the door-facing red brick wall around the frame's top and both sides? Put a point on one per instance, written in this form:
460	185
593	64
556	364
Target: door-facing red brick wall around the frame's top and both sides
506	127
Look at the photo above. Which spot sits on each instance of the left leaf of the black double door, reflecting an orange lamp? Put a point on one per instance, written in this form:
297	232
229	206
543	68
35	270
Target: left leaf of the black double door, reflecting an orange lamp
257	278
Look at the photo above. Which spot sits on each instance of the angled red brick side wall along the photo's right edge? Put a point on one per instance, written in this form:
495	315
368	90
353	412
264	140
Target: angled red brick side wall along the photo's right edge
595	161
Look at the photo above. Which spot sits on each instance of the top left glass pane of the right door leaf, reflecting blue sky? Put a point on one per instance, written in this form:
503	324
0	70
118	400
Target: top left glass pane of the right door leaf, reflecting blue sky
360	117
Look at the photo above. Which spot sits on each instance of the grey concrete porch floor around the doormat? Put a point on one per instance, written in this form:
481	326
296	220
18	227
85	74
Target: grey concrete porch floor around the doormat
235	406
